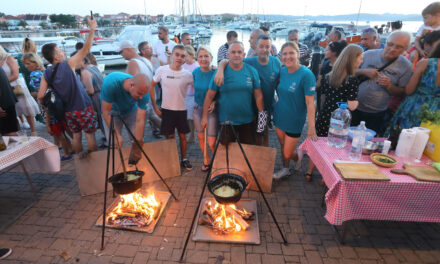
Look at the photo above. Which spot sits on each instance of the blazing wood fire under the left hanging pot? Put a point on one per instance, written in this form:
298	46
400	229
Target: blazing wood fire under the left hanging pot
134	209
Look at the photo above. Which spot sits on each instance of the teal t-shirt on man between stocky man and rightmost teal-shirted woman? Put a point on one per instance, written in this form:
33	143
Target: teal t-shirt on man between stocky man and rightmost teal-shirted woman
269	76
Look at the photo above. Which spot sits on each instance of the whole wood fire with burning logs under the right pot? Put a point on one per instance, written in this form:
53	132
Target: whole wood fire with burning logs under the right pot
226	218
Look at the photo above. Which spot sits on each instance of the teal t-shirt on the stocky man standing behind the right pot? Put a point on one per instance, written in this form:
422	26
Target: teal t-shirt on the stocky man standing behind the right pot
235	96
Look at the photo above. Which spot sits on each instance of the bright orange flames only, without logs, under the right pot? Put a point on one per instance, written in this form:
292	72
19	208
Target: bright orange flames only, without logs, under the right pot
224	221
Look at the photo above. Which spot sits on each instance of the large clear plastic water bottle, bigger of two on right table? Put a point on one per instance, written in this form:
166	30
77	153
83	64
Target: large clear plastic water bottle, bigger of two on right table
339	124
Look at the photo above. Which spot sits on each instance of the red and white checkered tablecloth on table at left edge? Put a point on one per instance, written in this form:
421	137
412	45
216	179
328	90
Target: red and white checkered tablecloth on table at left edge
36	153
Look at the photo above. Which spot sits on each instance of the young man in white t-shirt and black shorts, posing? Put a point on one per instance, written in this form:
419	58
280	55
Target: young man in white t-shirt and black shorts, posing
174	81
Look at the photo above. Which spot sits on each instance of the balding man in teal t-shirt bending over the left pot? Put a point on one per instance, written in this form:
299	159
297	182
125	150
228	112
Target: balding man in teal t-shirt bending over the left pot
128	96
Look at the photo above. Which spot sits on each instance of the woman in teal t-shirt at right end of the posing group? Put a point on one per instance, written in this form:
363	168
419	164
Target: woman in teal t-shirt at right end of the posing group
296	93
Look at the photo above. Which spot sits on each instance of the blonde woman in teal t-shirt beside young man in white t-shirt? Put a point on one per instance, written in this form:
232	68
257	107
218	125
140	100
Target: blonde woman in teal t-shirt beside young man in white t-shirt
202	76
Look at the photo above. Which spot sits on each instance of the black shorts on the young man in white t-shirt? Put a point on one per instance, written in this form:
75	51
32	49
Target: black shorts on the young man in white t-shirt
171	120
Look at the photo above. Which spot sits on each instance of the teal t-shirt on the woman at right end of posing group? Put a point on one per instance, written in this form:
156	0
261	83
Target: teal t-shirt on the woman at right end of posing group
291	110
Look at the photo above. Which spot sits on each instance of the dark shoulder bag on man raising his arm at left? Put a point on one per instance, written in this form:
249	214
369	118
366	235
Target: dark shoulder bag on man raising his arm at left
52	100
